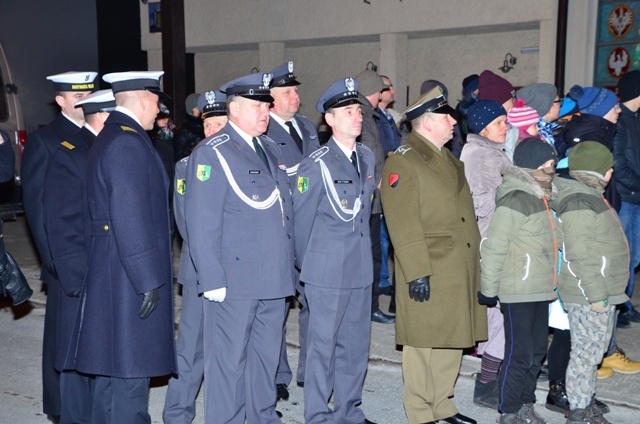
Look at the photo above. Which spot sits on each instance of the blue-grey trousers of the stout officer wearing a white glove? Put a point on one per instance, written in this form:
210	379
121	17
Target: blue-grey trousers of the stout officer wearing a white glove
242	340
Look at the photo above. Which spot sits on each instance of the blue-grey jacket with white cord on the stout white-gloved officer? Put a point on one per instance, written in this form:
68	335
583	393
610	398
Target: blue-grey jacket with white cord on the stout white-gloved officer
234	243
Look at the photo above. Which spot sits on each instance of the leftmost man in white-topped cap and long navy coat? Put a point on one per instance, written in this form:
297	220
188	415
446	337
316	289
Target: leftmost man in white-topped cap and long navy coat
70	87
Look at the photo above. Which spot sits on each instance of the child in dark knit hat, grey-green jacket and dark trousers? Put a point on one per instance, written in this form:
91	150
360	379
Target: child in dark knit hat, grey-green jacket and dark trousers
518	268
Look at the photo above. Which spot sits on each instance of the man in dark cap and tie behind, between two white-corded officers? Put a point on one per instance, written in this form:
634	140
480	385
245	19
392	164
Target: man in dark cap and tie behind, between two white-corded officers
297	137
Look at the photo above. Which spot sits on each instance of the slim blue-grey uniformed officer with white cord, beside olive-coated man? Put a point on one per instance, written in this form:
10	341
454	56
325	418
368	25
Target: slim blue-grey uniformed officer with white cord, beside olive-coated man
332	205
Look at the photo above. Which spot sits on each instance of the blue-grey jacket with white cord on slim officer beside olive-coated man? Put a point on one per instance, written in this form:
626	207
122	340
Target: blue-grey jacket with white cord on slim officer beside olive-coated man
332	249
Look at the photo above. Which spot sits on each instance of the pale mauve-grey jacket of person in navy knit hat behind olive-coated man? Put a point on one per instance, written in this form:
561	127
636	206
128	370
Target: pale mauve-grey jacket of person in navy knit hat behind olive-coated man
483	159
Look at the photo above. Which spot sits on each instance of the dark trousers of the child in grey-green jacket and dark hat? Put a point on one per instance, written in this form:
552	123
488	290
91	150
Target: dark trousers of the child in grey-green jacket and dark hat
525	333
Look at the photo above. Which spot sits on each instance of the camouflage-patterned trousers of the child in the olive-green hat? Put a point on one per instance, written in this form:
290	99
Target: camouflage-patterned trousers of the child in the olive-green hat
590	335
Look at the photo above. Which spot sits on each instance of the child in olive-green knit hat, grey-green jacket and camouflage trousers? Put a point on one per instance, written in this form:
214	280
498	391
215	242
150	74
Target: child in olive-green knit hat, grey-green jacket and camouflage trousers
594	271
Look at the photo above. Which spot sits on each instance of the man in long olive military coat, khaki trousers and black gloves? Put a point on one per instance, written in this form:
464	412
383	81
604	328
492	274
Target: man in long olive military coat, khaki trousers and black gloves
430	216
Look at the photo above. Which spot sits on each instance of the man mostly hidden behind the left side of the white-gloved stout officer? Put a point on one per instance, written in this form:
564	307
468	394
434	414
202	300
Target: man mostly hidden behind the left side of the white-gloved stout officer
180	400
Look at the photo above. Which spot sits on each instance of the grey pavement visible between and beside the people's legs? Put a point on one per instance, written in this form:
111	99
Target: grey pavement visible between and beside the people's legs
21	344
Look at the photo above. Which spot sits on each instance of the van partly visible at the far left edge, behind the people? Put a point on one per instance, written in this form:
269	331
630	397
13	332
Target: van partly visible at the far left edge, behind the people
13	124
